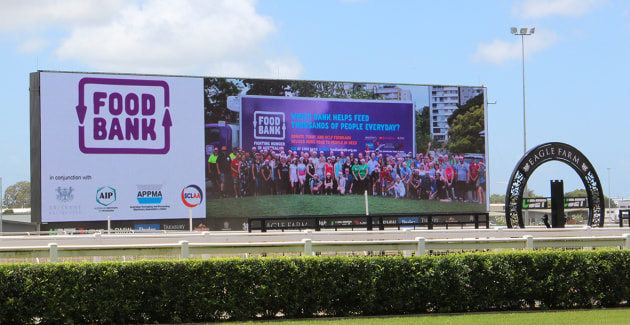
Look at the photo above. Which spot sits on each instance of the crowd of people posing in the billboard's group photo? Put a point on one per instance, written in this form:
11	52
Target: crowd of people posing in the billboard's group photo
427	176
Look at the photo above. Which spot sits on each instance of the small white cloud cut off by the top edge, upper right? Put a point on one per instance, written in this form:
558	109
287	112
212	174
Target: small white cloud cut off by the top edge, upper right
544	8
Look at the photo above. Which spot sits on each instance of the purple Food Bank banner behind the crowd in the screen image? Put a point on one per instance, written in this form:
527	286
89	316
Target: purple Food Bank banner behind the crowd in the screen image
329	125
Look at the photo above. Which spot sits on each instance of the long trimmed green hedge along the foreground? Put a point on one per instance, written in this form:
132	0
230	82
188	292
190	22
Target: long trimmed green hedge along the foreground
216	289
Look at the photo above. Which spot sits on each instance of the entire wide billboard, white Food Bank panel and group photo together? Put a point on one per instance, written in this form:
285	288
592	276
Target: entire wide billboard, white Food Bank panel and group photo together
147	151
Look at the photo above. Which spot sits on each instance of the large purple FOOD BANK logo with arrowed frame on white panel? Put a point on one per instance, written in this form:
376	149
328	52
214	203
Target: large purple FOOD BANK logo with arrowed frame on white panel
124	116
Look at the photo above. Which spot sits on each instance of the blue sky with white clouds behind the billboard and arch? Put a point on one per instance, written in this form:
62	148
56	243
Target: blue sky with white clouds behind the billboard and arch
576	64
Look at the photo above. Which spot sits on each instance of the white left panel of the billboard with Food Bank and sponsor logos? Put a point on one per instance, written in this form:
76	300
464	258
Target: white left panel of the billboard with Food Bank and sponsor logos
122	147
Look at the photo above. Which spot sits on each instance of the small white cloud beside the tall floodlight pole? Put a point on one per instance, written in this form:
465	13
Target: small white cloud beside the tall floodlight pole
500	51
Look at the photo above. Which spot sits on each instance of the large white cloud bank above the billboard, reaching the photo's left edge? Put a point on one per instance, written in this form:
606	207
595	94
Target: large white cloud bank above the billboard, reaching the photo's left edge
196	37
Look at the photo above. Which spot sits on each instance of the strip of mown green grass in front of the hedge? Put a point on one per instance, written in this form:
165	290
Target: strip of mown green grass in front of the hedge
598	316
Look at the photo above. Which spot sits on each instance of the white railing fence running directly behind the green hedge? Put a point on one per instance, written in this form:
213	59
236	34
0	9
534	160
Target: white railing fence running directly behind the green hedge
308	247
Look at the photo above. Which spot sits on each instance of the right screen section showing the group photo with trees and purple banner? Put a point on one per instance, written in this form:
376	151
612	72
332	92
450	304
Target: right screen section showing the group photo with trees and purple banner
315	148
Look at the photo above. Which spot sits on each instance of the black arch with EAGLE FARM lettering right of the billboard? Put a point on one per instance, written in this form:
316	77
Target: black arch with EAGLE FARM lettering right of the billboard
553	151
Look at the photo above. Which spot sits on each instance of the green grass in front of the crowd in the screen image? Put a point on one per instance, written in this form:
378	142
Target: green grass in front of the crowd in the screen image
289	205
